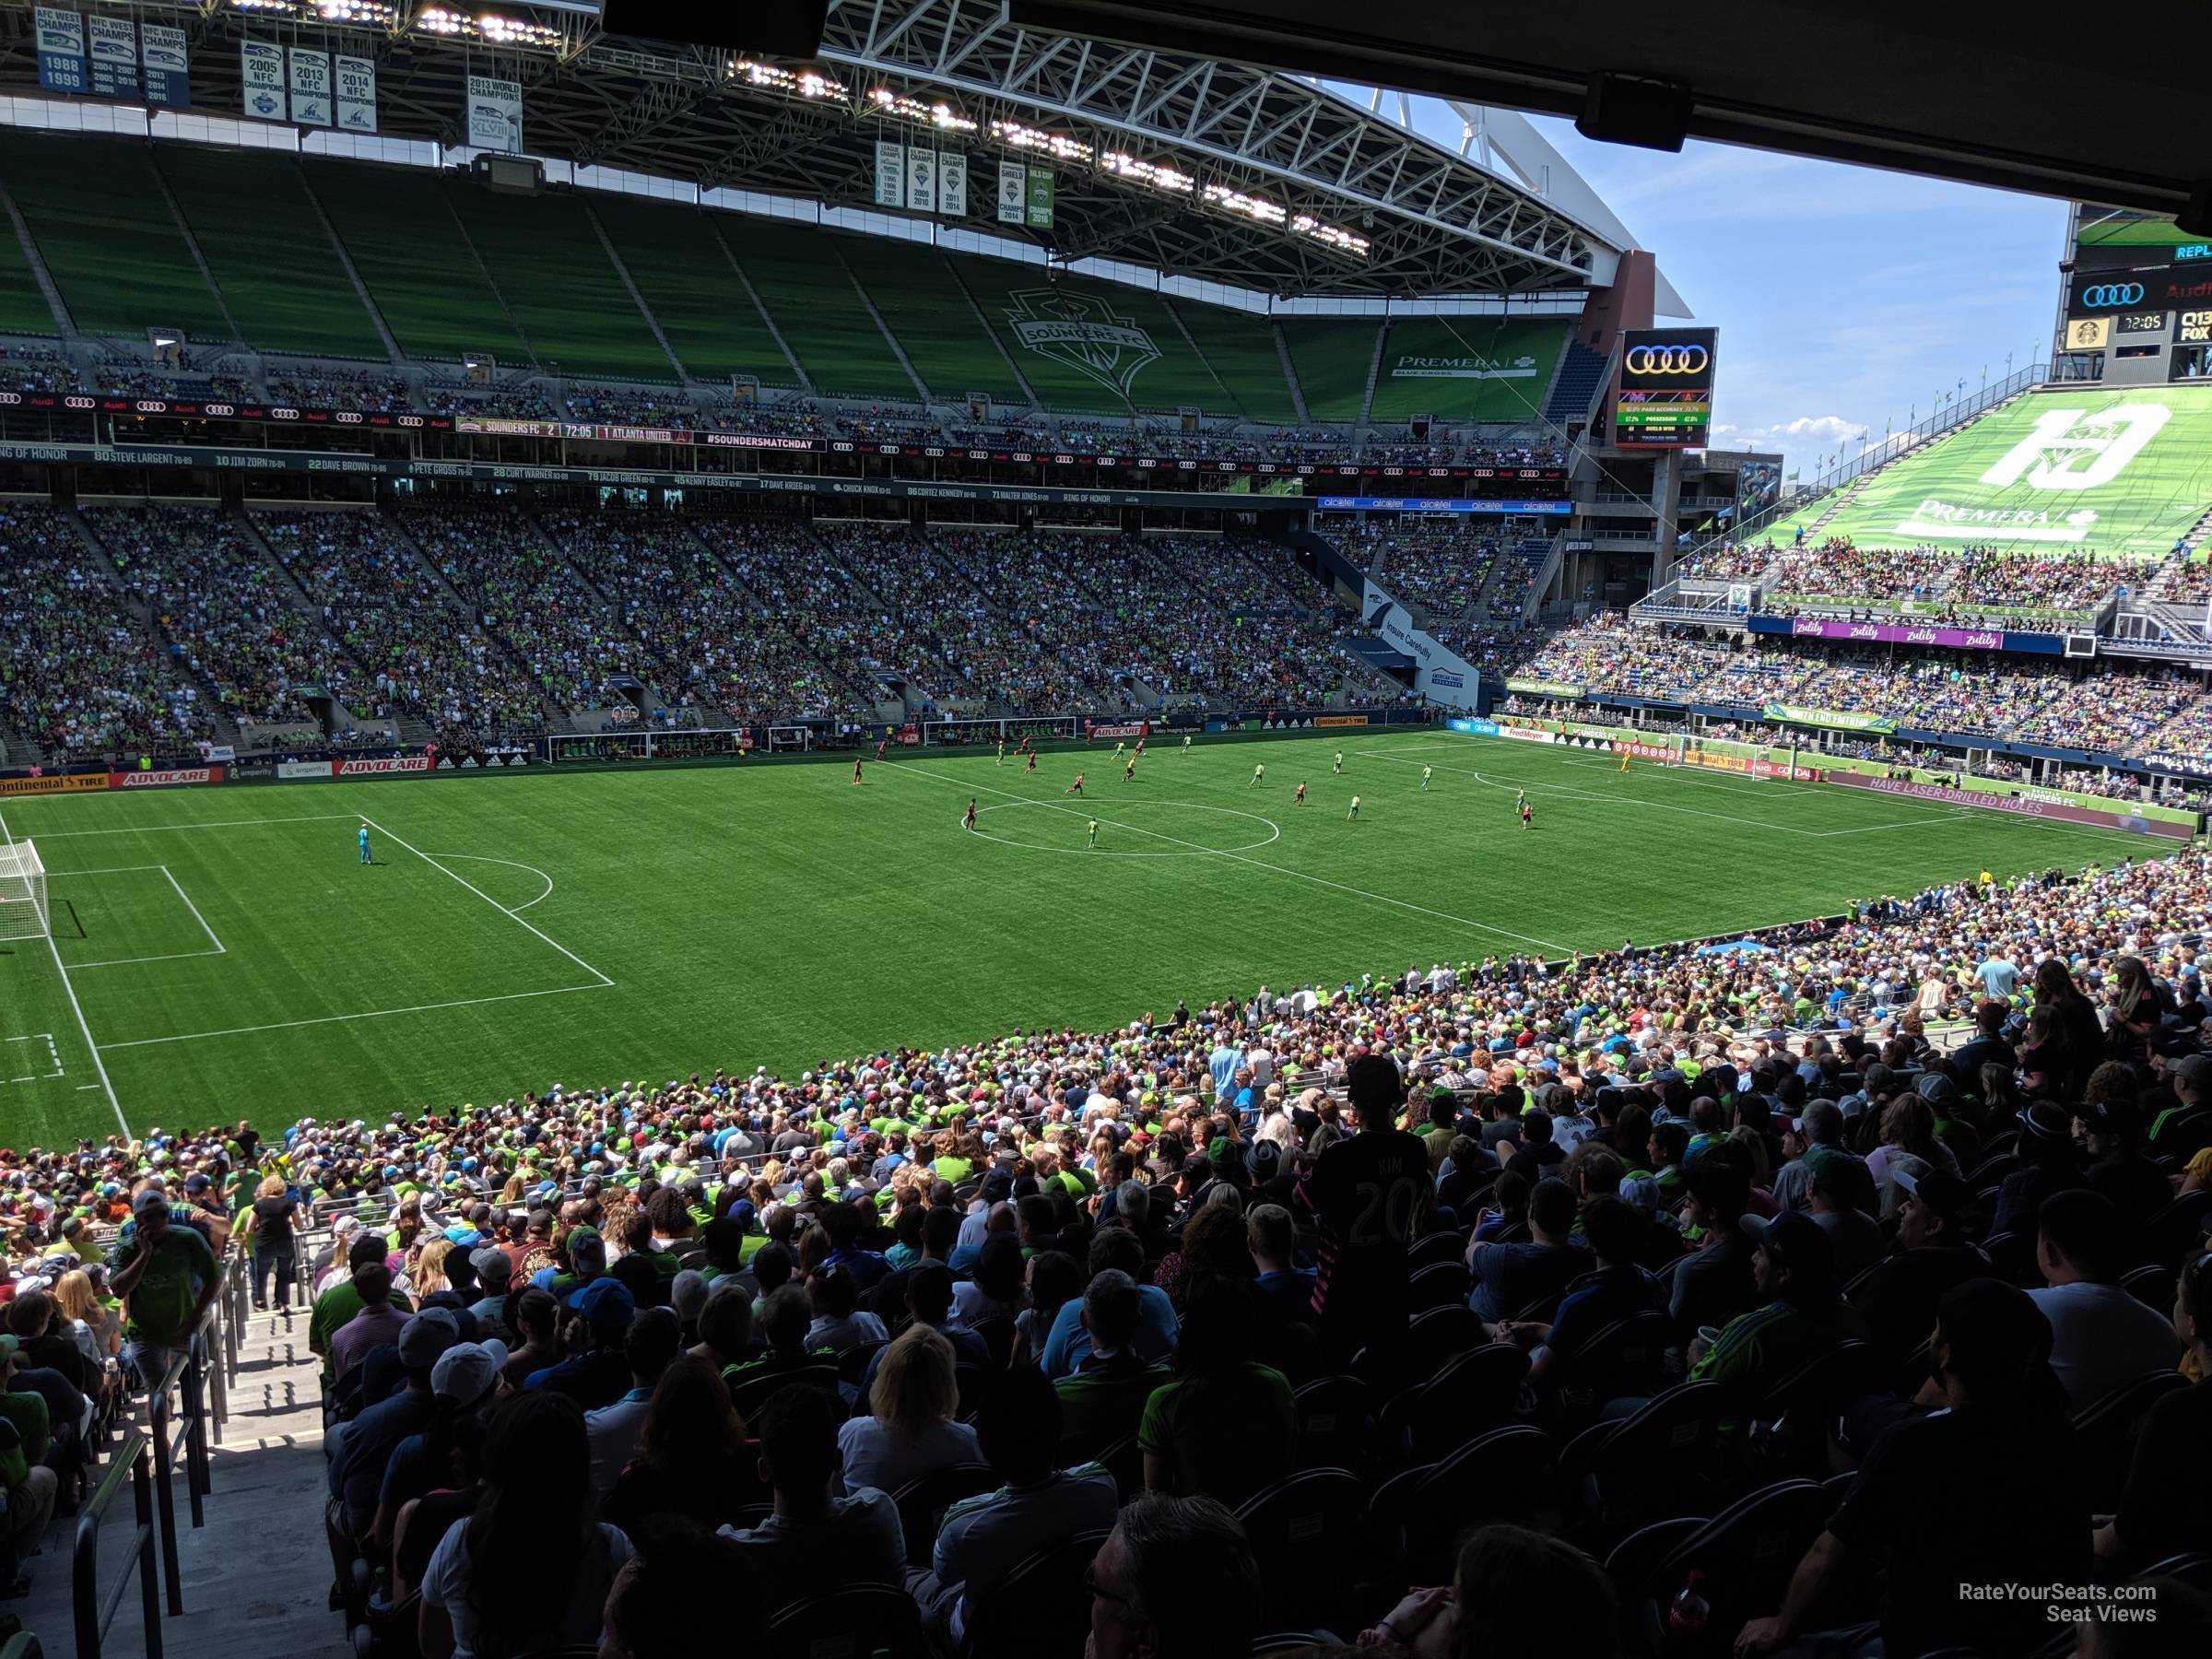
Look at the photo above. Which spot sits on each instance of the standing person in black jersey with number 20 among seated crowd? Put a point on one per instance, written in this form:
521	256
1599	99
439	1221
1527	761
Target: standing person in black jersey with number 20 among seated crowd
1370	1196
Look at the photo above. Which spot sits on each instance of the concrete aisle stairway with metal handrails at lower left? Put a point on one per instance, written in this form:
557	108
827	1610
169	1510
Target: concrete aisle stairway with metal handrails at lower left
258	1574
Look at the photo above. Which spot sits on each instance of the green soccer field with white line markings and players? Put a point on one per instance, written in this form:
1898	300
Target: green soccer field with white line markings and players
225	954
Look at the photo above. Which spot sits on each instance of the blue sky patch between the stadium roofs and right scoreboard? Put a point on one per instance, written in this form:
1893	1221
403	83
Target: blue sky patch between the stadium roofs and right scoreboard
1846	298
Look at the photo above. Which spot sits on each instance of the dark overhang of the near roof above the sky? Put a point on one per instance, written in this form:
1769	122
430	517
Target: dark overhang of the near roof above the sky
1886	83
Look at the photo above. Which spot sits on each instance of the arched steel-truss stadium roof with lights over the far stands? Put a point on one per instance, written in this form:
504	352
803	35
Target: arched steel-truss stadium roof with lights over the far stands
1169	160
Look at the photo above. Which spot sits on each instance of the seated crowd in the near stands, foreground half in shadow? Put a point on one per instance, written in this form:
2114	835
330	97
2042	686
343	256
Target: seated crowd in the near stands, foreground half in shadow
1395	1308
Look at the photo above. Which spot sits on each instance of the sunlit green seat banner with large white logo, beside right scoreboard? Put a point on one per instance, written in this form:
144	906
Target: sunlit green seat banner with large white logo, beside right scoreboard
2078	470
